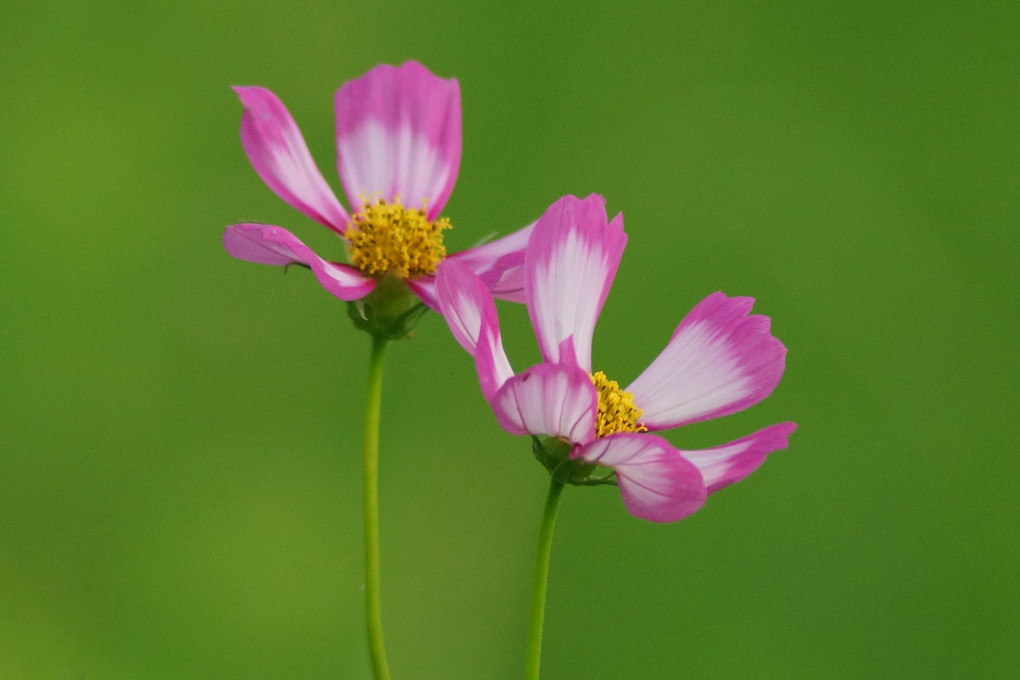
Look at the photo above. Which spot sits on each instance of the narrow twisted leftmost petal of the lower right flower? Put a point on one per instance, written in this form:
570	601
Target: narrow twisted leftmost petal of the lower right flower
469	309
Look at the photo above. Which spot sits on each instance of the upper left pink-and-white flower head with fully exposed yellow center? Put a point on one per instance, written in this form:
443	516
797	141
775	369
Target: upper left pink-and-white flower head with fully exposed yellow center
398	153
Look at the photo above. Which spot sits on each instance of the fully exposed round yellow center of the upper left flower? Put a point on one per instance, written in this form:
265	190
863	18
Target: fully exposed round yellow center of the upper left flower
387	238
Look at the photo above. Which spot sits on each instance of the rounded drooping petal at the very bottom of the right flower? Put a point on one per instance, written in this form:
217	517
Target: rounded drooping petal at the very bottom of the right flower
656	483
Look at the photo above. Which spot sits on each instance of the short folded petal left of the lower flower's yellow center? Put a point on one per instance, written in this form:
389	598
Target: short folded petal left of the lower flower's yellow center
556	400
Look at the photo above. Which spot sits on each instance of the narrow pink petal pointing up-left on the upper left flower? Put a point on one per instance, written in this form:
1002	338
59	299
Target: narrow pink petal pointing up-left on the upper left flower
281	158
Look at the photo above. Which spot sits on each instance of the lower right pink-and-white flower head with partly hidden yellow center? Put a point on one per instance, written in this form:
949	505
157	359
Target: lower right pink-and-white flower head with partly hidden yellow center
719	361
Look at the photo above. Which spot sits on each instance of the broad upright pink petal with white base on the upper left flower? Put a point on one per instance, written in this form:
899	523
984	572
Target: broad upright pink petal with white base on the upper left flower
399	135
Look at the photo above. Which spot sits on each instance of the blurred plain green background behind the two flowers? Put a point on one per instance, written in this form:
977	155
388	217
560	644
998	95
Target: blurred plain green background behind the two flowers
180	489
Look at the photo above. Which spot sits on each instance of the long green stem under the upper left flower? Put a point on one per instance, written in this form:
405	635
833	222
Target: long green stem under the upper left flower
374	608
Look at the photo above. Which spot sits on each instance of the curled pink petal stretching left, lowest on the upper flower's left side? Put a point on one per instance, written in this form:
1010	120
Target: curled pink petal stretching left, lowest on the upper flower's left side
273	245
